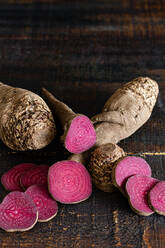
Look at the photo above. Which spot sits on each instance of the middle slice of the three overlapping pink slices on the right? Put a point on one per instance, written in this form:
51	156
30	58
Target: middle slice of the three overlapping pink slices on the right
137	188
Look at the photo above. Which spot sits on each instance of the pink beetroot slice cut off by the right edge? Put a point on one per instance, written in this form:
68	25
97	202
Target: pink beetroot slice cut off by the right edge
157	198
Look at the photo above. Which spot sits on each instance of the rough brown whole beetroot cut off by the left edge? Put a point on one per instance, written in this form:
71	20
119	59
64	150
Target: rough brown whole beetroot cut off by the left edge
26	121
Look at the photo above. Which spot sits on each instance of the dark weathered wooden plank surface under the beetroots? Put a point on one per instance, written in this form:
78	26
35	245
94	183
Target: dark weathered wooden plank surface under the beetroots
82	51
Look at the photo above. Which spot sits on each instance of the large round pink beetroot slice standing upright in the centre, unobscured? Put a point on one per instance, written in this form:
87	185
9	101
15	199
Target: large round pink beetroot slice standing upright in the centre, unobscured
69	182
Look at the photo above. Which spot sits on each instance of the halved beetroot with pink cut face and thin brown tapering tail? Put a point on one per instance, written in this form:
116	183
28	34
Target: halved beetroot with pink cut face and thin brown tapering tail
79	133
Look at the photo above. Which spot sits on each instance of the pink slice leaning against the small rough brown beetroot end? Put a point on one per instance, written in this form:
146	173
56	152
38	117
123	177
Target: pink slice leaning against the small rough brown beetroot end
127	167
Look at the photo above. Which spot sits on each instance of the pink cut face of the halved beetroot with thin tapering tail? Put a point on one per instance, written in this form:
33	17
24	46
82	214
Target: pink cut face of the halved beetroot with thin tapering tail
81	135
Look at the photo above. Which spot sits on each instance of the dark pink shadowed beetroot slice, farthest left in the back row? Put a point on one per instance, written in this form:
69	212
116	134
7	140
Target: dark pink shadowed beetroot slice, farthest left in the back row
11	179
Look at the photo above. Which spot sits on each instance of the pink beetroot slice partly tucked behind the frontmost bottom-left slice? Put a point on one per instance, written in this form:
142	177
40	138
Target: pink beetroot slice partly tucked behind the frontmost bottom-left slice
47	207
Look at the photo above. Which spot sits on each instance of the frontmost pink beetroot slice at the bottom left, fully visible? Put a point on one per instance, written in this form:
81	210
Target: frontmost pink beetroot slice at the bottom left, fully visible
17	212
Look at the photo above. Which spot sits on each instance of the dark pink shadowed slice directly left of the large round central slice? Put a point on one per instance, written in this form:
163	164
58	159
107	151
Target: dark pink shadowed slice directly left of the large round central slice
37	175
